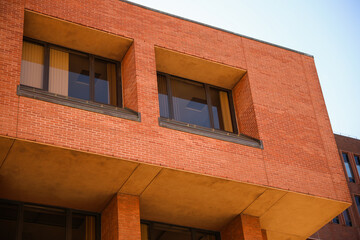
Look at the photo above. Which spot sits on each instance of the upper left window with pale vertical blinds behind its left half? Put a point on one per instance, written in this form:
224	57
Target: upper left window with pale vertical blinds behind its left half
70	73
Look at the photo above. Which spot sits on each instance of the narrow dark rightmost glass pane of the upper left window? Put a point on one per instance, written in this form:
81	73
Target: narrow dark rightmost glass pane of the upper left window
102	94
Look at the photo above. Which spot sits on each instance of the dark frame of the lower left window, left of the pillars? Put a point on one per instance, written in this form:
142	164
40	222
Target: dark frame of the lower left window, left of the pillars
68	215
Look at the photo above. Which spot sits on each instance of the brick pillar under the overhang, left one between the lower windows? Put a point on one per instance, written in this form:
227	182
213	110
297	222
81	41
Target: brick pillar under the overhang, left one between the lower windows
120	220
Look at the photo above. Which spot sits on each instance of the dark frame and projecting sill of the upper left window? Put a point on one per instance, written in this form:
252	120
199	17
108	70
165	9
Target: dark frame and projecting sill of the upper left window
88	105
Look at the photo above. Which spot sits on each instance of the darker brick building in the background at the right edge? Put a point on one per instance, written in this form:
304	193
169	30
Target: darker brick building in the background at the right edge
347	224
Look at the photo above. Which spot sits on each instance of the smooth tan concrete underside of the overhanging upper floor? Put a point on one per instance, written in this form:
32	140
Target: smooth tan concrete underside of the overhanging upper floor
39	173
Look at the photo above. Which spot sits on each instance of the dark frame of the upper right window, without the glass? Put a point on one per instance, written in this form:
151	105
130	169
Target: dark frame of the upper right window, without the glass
206	87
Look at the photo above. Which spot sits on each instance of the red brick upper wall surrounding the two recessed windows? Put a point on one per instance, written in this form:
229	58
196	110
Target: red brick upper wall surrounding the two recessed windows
282	98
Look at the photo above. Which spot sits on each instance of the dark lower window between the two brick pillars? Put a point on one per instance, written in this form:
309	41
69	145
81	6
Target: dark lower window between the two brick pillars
161	231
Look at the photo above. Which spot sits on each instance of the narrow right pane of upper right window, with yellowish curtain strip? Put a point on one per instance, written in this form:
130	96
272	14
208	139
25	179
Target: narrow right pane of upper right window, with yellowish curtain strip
221	110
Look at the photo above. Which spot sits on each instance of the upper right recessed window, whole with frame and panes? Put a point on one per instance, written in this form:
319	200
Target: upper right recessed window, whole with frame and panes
195	103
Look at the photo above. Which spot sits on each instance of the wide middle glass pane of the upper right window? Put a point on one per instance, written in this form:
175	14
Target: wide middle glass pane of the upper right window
189	100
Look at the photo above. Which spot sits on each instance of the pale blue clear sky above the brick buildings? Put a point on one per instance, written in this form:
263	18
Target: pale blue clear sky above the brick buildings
327	29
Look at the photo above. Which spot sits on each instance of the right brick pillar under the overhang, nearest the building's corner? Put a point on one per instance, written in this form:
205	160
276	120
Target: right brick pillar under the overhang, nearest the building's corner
243	227
